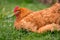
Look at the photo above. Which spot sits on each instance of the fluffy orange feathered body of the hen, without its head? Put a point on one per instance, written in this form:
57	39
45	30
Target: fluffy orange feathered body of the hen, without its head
41	21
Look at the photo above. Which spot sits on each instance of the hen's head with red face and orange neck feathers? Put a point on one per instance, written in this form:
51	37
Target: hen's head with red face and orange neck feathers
21	12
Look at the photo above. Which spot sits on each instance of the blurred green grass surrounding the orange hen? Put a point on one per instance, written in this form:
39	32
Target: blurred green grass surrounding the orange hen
7	30
